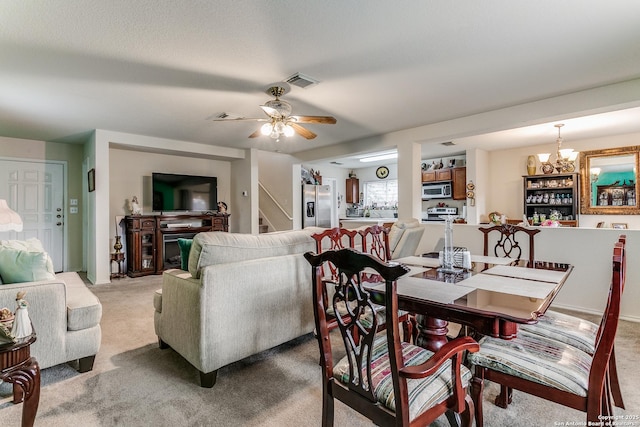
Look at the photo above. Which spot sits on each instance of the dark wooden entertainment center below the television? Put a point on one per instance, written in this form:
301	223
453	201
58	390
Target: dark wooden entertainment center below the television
152	239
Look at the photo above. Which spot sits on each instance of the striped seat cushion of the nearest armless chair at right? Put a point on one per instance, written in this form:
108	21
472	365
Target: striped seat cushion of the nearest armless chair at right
538	359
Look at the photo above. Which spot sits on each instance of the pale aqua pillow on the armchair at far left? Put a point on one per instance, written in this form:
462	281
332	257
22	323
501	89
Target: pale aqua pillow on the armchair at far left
19	266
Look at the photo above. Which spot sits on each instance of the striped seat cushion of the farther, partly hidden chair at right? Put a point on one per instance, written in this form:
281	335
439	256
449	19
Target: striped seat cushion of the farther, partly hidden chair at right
565	328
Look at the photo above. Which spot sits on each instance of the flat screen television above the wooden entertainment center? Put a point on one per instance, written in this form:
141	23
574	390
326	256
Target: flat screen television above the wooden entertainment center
173	192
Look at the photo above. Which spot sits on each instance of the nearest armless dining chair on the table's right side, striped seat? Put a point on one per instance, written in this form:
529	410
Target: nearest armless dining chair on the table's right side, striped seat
550	369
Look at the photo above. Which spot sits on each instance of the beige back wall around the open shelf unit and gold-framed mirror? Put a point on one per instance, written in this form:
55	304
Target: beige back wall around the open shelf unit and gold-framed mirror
508	166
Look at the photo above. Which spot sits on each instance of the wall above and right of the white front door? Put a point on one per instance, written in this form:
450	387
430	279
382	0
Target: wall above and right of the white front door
72	154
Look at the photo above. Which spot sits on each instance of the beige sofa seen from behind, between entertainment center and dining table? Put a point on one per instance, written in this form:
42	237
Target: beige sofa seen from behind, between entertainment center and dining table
242	294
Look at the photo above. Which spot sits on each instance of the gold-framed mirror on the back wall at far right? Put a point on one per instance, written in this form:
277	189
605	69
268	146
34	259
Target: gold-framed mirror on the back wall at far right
608	181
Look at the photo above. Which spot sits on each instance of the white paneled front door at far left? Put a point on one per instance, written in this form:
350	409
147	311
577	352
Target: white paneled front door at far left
35	190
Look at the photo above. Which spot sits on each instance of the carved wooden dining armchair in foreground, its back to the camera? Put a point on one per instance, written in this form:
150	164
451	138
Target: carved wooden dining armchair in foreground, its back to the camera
391	382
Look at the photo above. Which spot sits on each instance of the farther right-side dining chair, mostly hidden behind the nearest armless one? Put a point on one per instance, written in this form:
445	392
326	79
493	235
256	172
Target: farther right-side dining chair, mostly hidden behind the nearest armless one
579	333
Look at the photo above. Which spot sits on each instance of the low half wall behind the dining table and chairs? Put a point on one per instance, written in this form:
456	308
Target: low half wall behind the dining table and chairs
589	250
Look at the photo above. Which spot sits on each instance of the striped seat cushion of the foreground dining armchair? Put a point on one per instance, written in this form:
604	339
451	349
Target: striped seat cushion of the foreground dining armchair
423	393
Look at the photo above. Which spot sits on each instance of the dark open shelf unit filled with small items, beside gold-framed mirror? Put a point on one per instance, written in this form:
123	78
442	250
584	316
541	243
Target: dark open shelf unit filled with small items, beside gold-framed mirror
553	192
